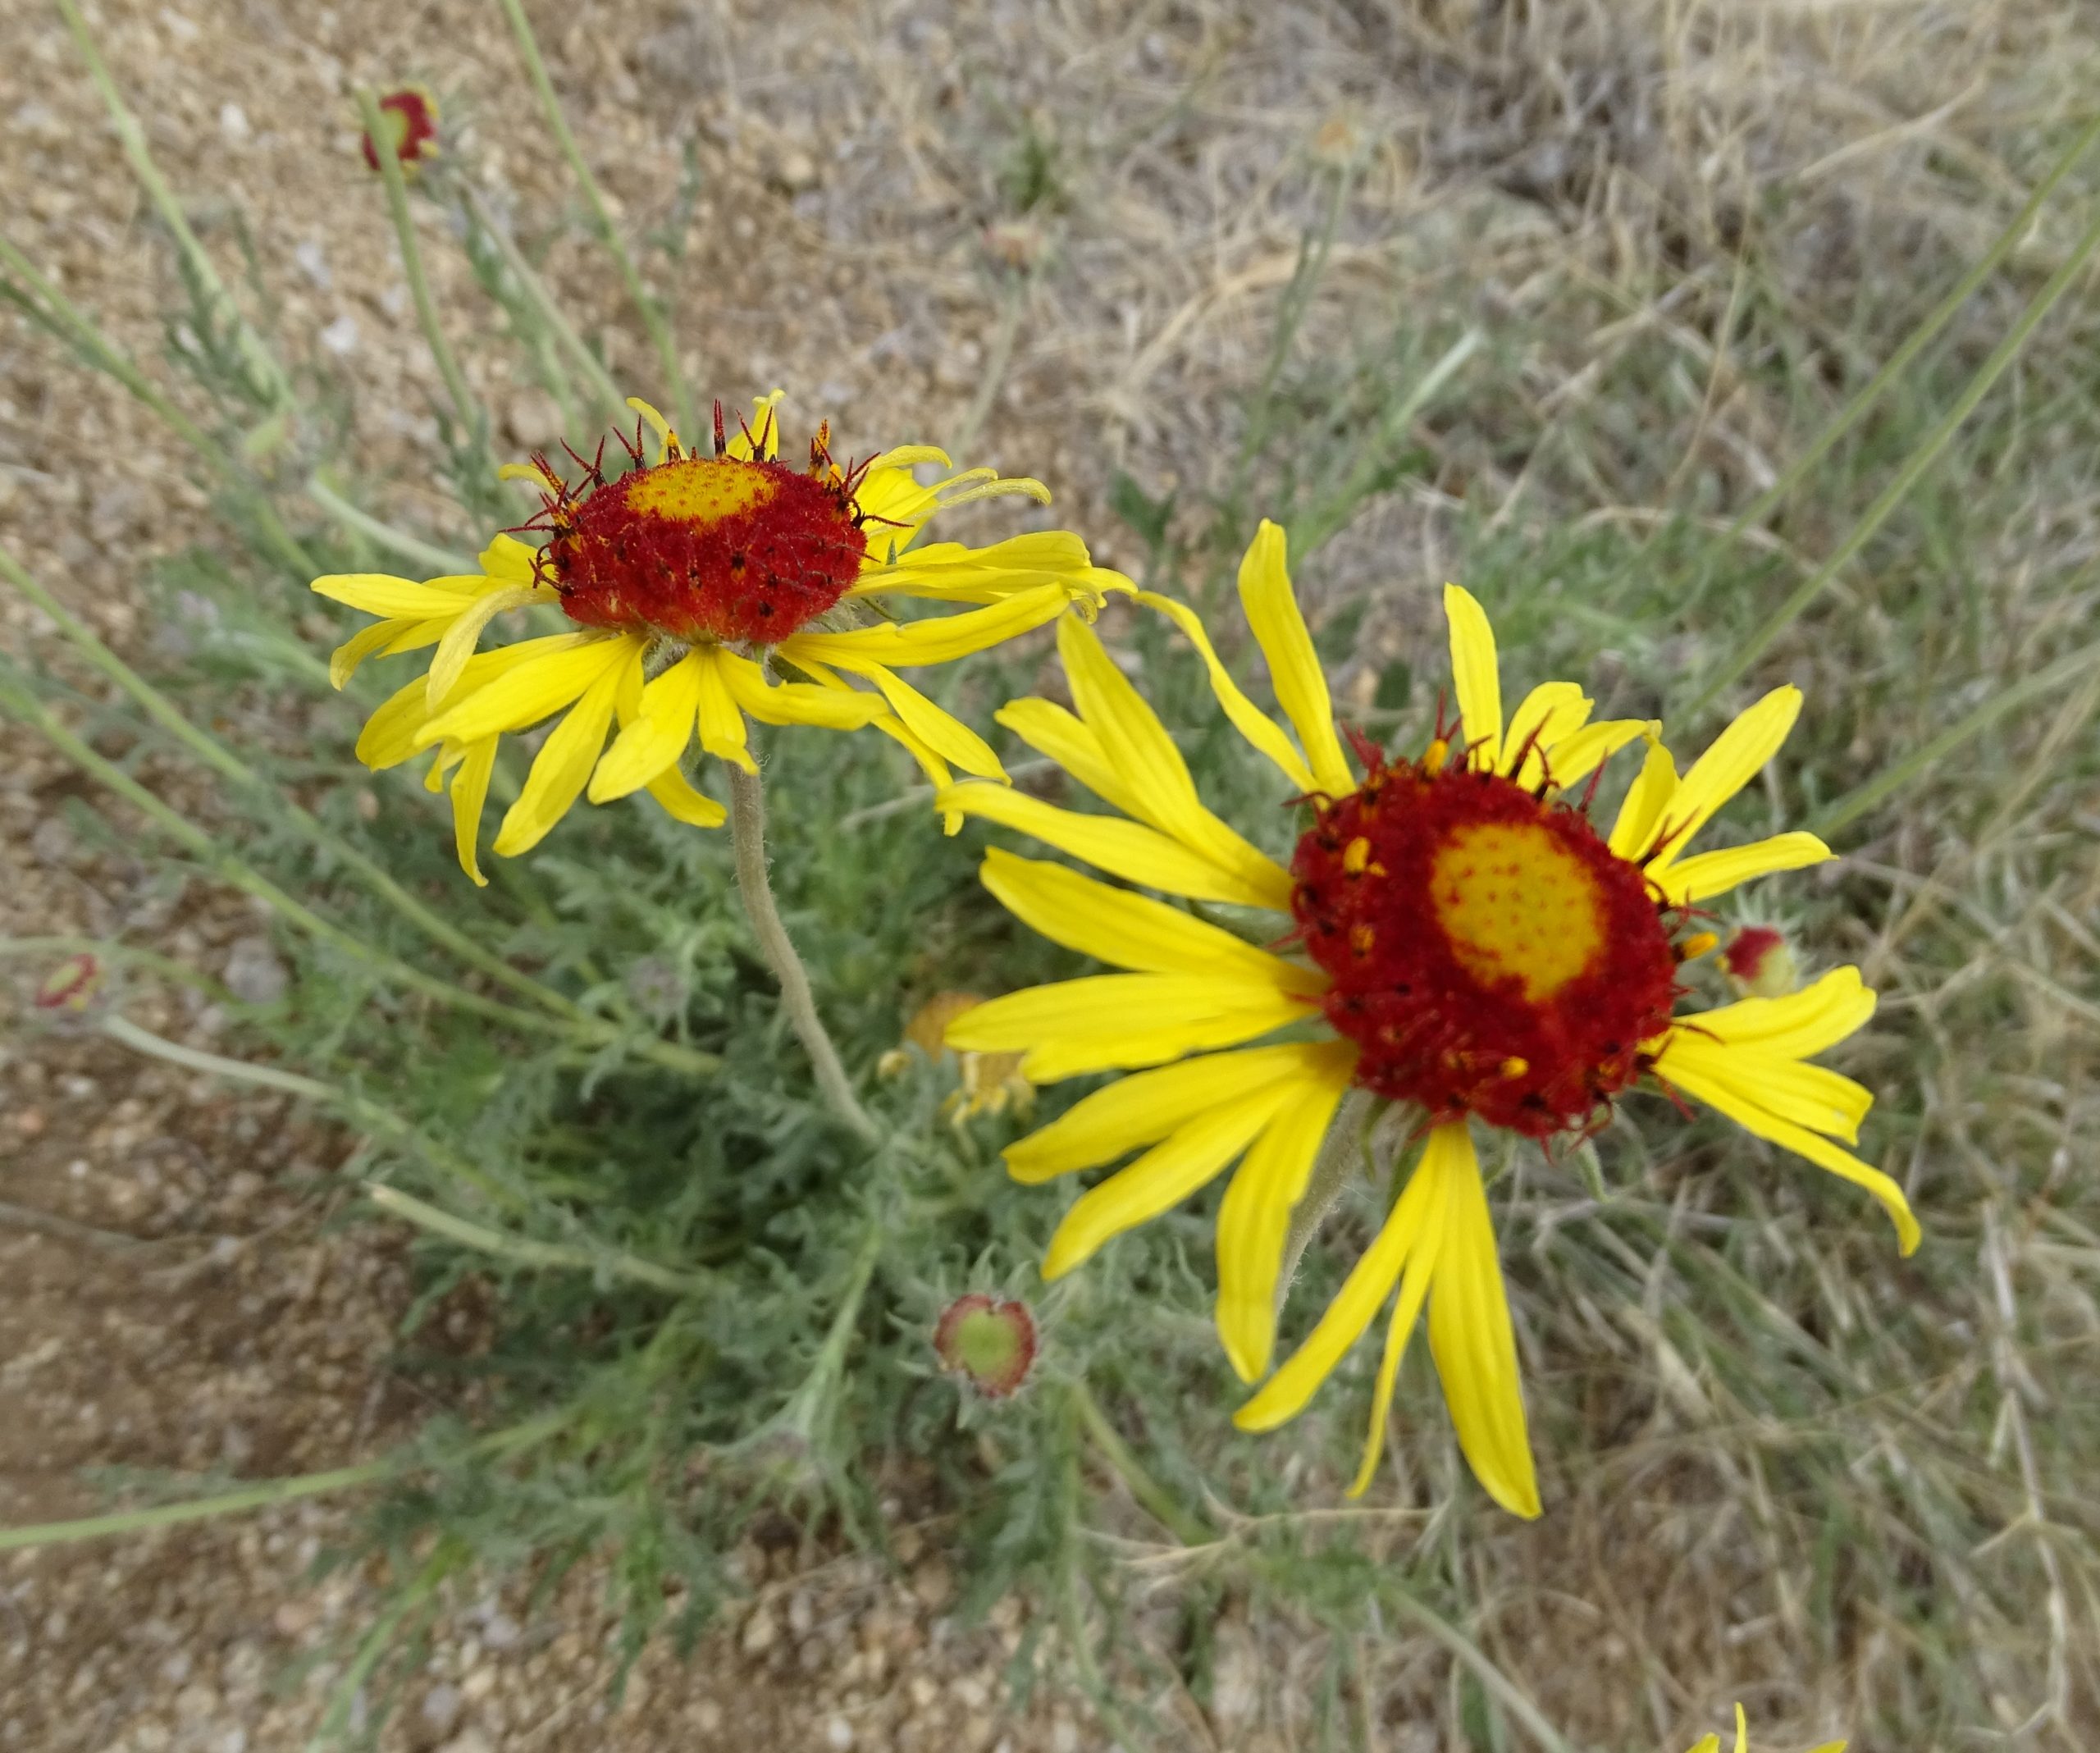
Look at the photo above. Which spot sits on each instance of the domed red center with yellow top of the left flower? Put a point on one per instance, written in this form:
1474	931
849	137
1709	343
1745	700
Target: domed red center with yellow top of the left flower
707	547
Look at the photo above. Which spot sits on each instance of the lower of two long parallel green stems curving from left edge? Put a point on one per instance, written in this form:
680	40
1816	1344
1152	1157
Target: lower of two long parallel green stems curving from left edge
232	870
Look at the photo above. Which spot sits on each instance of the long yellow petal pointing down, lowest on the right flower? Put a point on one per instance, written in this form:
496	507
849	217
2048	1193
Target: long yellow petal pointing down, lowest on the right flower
1473	1340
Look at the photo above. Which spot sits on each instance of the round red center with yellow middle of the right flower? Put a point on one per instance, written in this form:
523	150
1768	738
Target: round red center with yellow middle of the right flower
1490	954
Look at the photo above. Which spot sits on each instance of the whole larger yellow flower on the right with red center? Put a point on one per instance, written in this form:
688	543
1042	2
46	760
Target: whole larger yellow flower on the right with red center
1465	939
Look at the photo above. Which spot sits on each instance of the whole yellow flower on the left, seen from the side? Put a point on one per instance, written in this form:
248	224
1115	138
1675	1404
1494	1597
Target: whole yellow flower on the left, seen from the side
688	585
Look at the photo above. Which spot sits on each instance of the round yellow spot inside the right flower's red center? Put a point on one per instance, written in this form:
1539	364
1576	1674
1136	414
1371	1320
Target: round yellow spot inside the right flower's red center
1517	904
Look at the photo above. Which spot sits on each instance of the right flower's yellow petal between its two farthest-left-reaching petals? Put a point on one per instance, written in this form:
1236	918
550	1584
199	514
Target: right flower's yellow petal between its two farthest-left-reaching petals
1133	931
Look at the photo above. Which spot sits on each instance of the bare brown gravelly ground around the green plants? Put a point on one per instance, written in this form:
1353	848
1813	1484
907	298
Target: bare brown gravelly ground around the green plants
175	1292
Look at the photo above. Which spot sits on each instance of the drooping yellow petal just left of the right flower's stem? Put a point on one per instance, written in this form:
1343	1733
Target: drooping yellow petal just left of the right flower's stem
1257	1210
